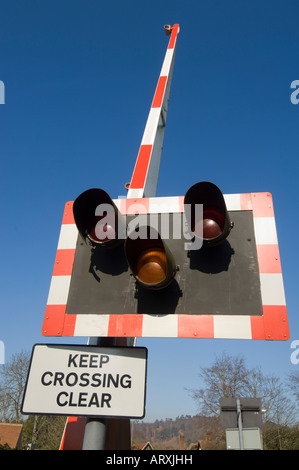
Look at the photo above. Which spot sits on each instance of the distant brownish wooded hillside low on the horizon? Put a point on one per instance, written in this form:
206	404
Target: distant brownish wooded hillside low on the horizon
182	432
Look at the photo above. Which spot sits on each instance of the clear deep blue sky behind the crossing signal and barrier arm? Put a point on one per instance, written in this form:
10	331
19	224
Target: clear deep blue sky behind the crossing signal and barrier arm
79	80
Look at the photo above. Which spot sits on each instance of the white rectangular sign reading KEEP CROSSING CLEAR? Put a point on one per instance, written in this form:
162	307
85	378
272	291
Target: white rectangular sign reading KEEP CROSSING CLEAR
86	381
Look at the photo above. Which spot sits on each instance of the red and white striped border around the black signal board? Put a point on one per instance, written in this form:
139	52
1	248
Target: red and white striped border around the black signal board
272	325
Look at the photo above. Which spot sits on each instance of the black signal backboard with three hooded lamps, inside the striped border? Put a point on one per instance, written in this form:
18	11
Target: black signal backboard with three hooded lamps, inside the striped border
127	264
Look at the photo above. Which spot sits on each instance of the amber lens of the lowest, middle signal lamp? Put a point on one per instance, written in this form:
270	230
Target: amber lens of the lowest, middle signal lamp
151	266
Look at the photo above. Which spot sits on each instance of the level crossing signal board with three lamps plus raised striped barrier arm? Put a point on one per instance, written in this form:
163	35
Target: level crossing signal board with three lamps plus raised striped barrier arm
202	265
